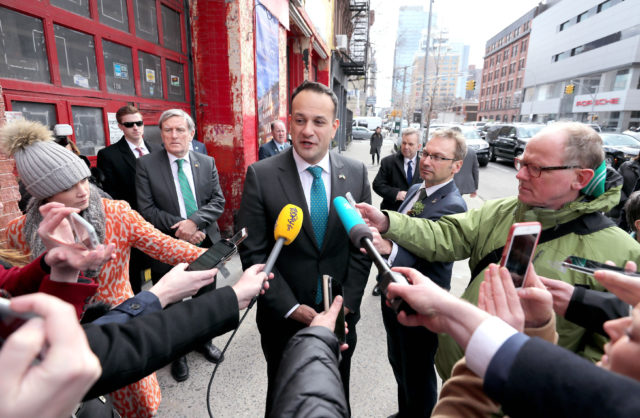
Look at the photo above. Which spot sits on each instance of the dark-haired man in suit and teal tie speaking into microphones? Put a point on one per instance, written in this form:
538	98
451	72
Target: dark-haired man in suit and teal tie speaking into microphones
309	176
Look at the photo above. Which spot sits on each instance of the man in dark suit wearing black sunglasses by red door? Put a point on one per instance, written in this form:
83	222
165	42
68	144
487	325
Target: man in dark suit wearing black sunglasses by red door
118	164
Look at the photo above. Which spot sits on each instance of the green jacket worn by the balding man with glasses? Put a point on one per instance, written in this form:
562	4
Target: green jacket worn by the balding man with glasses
476	233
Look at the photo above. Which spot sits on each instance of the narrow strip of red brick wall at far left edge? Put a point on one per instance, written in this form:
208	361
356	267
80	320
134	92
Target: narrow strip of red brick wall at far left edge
9	194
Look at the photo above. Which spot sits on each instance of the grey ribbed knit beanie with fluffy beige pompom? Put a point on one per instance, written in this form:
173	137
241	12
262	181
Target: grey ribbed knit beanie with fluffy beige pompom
44	167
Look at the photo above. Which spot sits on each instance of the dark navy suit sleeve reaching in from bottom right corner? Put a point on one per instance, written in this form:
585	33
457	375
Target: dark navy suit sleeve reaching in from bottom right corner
545	380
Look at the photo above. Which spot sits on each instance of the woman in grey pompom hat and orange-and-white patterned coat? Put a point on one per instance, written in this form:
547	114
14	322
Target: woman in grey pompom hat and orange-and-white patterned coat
52	173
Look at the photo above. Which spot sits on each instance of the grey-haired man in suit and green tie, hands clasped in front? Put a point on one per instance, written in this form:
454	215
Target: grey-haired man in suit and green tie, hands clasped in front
179	193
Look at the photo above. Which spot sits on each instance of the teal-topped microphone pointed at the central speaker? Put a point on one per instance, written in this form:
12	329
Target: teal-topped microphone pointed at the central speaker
360	235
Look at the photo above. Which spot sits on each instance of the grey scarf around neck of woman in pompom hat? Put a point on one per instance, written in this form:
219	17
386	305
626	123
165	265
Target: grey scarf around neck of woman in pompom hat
94	214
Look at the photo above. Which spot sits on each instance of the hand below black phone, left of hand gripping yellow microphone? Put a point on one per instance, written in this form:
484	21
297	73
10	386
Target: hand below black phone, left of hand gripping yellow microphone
178	284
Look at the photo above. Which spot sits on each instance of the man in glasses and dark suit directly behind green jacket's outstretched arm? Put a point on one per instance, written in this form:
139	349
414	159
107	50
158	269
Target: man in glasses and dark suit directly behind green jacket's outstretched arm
411	350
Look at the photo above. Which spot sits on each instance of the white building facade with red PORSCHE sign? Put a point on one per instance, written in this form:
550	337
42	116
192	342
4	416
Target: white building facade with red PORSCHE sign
593	45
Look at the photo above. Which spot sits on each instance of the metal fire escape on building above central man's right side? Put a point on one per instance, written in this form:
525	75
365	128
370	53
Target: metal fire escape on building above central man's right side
355	63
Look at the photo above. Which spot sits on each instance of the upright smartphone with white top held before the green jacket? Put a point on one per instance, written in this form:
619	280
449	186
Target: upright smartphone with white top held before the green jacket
518	251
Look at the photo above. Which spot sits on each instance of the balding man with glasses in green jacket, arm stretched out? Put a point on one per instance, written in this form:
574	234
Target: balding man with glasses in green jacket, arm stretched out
561	176
